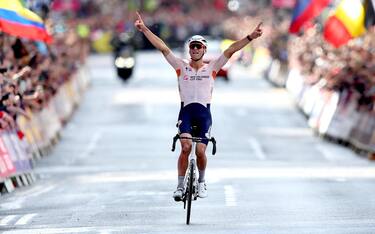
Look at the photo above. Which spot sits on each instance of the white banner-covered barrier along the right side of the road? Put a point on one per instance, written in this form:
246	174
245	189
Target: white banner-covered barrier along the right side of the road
334	115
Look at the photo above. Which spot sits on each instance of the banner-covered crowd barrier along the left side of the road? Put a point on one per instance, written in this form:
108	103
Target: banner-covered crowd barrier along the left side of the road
38	133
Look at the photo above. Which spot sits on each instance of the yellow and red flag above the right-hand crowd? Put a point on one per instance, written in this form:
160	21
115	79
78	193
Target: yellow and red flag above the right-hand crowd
346	23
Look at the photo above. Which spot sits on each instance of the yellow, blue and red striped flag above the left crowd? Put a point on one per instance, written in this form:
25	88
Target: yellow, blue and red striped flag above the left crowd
22	22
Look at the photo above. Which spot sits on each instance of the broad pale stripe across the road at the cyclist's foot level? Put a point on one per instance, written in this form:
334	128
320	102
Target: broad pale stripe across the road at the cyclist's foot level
218	174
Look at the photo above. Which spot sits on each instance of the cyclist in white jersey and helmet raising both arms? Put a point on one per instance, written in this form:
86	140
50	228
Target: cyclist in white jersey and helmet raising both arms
195	83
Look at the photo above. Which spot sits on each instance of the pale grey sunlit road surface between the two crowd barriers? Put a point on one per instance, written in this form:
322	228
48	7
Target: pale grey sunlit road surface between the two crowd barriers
113	171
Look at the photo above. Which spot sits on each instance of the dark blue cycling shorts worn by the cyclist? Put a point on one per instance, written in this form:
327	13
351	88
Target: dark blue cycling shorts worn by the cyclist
195	114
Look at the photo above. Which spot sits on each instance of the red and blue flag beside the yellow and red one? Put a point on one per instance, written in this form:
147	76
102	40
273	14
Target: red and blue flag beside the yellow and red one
304	11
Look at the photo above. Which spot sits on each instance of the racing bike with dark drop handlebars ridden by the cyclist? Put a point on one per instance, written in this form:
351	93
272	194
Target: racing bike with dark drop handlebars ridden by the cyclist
190	189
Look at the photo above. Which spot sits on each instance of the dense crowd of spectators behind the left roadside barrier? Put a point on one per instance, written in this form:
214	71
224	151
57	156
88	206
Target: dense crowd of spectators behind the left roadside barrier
31	72
